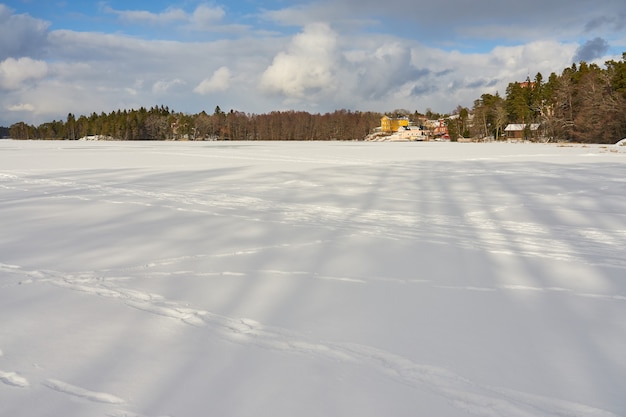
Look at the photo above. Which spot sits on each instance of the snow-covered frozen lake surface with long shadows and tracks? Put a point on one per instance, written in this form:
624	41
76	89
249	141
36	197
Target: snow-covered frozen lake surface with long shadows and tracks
312	279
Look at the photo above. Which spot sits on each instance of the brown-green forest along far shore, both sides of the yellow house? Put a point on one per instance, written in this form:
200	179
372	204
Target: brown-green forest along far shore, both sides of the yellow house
586	103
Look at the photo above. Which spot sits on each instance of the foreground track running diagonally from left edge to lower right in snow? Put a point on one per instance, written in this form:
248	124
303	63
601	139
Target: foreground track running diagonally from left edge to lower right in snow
467	395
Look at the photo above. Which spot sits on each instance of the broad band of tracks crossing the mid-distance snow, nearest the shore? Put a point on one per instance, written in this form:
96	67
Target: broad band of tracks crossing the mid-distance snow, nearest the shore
476	230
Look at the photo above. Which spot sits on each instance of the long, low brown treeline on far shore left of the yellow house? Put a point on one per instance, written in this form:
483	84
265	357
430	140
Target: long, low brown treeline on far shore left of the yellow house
161	123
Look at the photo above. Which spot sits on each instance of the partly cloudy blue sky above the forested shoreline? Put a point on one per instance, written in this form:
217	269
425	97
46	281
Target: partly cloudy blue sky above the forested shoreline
80	57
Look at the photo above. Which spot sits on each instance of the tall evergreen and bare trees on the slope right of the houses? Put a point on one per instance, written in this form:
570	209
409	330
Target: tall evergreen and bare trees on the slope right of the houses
585	103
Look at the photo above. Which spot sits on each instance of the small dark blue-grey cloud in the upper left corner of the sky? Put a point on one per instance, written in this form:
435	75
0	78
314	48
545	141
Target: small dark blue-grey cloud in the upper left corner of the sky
20	34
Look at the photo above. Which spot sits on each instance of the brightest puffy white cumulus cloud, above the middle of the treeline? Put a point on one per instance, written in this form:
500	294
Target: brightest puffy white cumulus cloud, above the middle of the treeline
307	66
